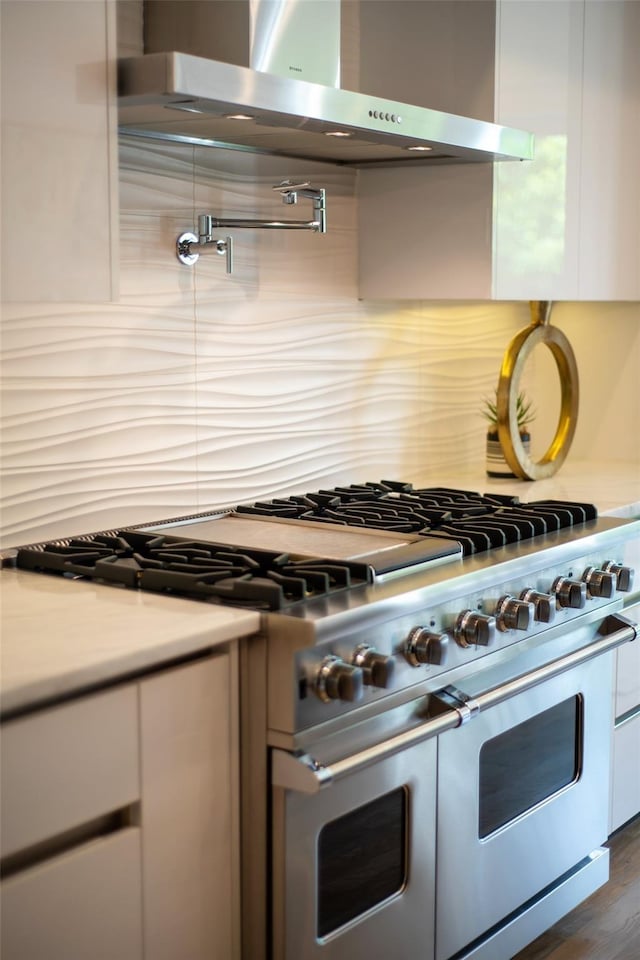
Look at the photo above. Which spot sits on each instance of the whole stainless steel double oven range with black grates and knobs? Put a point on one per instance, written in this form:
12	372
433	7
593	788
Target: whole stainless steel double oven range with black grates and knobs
427	711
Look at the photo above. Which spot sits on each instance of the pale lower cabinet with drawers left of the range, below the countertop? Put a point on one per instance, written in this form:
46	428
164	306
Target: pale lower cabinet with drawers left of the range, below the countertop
120	837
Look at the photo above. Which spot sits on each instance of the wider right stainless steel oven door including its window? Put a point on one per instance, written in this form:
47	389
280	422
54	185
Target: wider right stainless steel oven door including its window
522	799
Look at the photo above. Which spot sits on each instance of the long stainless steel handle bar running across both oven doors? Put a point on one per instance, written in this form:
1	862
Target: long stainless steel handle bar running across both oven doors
306	775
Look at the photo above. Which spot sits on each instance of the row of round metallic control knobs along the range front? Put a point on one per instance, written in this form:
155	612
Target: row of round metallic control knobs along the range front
338	679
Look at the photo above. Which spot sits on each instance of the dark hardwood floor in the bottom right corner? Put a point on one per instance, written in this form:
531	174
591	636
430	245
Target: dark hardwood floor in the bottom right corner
607	925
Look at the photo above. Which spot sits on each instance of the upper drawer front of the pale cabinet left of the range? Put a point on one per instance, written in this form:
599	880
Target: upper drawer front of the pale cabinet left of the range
63	767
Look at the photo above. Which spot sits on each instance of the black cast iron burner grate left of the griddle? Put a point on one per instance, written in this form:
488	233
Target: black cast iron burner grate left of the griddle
224	574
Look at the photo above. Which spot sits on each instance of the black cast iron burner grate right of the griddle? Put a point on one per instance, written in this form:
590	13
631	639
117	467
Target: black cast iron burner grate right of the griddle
478	522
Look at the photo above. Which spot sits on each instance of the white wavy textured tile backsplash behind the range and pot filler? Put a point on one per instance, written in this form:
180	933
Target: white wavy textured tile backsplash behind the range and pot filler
198	390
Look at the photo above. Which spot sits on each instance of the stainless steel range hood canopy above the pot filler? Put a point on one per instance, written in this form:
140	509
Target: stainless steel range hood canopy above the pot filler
180	96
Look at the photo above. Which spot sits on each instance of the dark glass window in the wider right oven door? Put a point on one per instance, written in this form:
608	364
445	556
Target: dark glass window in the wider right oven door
529	763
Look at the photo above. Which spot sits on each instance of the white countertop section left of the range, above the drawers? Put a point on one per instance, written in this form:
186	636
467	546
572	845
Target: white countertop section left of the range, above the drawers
61	637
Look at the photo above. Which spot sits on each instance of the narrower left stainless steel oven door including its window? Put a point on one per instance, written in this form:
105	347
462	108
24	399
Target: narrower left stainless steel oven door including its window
354	865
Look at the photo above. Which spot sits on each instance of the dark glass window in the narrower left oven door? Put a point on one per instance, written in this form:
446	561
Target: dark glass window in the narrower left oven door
362	860
